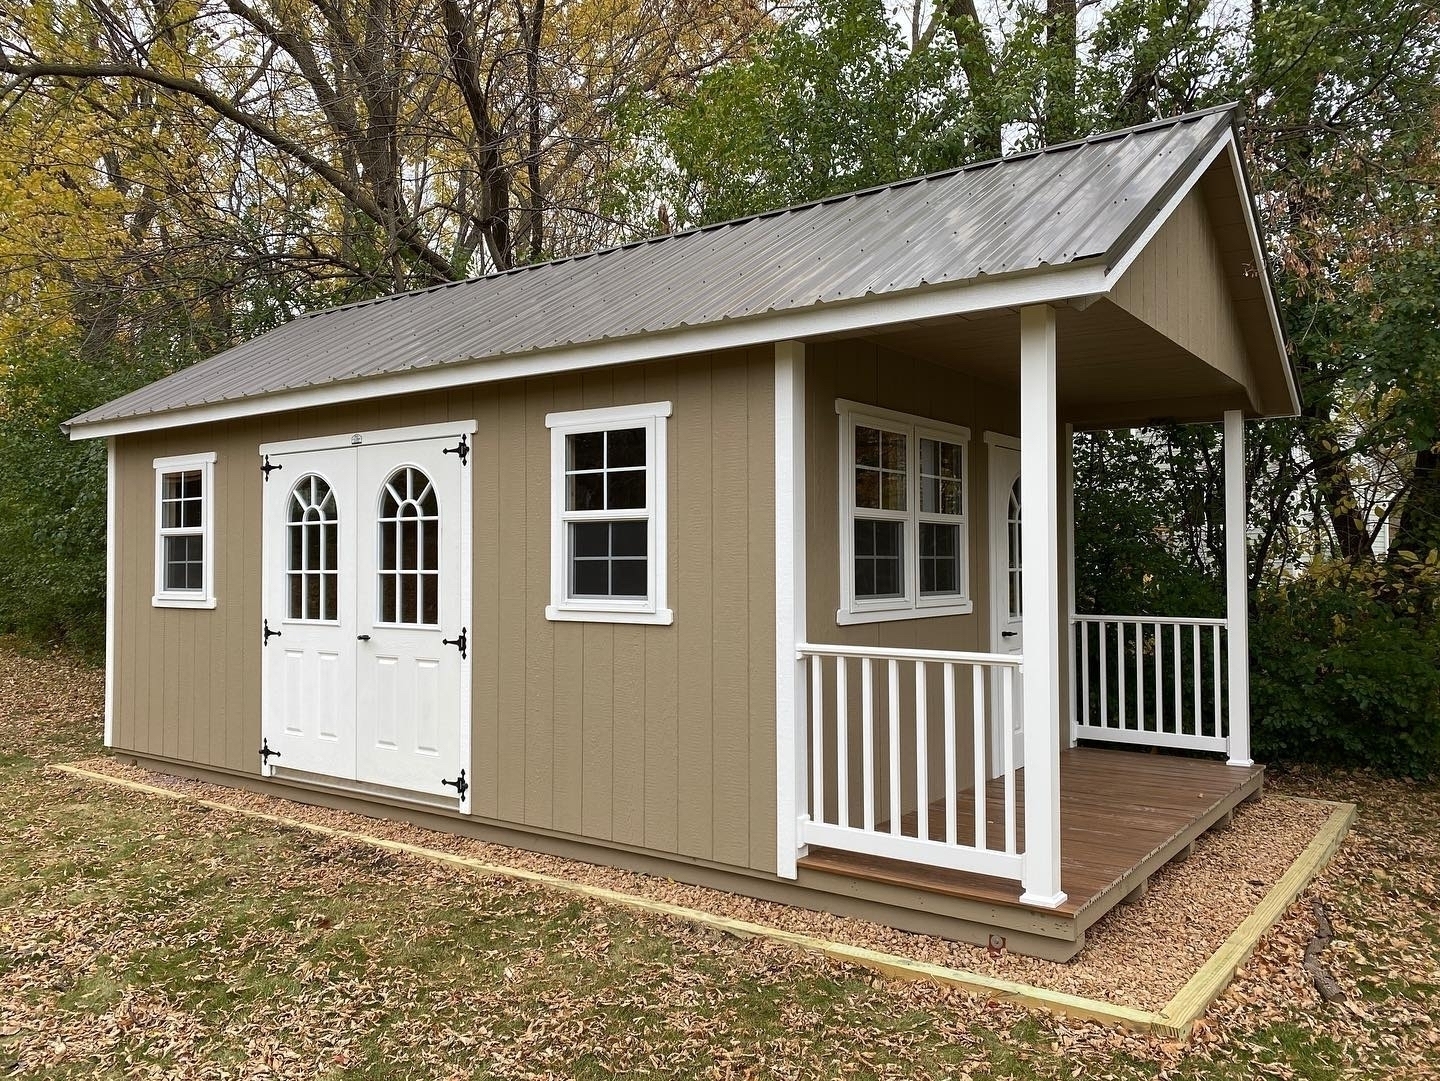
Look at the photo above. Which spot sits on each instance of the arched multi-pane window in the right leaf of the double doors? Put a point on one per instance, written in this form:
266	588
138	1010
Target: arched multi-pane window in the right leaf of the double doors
410	551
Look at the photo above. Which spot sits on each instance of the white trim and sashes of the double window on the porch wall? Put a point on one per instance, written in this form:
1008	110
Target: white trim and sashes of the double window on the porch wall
912	605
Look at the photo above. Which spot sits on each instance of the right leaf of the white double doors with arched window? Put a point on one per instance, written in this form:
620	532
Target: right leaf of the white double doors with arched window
408	719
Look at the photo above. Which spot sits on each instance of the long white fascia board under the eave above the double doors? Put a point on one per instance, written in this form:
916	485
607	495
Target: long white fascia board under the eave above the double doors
1049	286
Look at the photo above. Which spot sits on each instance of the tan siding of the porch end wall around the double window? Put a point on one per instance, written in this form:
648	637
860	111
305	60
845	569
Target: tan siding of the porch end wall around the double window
873	375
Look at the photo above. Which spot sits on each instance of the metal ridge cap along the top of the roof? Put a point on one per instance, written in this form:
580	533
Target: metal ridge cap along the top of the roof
794	208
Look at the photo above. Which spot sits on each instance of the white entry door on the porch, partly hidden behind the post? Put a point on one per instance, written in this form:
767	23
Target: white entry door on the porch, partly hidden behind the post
1007	617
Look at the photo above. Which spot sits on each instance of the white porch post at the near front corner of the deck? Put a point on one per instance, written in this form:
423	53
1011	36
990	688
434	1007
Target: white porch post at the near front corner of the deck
1040	597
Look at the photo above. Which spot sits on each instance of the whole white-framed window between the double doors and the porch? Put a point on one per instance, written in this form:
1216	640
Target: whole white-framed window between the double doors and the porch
608	523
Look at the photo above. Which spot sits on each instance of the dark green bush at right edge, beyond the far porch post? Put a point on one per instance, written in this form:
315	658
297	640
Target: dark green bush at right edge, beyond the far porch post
1346	667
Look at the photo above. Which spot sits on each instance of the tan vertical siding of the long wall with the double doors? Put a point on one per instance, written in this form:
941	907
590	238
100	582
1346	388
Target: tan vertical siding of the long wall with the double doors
653	738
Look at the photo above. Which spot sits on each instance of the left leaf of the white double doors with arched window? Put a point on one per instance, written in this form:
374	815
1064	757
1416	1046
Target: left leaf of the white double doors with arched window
310	687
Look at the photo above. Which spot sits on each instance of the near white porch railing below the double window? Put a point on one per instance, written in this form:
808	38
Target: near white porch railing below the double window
878	719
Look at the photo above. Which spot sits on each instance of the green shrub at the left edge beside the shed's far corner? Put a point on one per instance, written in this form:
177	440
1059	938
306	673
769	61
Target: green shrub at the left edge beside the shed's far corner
53	497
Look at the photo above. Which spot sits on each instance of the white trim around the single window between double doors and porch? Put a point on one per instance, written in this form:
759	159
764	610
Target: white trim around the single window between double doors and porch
654	607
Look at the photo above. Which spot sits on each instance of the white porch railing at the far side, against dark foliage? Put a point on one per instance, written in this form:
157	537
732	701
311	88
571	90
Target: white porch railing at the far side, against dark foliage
1156	682
